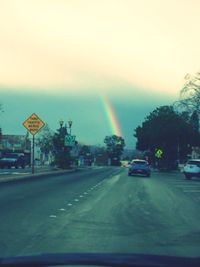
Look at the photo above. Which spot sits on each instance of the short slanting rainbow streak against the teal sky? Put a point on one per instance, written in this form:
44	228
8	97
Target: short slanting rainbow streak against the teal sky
111	117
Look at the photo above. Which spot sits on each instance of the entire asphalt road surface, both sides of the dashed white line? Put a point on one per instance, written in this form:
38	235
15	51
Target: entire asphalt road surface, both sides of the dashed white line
101	210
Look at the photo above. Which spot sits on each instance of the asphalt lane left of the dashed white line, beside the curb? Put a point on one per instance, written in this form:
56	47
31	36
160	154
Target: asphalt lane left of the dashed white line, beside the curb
27	207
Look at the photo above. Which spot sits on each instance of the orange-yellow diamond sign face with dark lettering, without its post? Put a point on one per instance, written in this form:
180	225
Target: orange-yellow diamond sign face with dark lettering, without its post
33	124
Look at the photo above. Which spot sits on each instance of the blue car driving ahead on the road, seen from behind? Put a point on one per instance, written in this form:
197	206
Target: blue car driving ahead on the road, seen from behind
139	166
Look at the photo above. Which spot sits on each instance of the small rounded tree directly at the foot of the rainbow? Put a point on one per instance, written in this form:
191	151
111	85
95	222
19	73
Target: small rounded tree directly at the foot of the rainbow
115	147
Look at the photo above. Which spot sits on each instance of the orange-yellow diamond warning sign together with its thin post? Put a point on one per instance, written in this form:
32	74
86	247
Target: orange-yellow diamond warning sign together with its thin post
33	124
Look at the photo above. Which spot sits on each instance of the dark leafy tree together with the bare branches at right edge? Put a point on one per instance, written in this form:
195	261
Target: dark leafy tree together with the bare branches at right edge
173	129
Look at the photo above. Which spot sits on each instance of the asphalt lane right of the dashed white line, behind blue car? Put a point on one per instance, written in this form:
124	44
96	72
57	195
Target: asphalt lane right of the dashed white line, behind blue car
127	215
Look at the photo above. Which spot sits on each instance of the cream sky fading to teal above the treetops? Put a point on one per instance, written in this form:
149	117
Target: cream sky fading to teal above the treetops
62	59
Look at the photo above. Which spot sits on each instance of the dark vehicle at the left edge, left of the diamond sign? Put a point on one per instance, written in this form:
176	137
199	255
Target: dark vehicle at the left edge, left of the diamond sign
12	160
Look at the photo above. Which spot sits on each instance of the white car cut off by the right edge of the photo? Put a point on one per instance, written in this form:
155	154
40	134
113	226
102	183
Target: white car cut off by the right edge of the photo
192	168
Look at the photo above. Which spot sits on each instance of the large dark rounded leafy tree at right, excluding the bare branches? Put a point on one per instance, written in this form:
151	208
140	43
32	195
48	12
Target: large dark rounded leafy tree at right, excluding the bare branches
168	130
